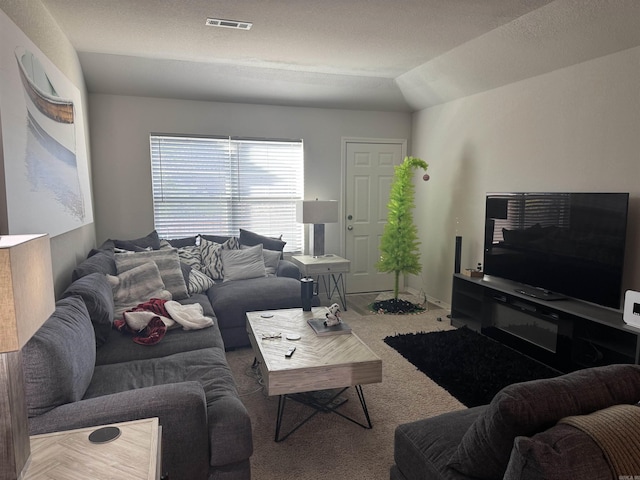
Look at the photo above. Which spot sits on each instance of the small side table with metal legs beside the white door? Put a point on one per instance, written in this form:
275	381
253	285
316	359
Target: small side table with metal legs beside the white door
328	267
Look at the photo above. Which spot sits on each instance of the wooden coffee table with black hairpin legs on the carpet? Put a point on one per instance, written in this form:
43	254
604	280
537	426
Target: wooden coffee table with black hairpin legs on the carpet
319	362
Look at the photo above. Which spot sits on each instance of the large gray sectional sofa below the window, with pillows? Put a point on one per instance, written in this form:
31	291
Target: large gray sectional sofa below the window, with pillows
82	372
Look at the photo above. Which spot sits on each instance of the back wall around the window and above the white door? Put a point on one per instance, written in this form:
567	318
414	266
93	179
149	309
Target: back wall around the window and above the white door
120	128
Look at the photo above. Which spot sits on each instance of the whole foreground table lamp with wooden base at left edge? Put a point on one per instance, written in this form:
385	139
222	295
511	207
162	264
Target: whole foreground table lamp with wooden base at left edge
26	301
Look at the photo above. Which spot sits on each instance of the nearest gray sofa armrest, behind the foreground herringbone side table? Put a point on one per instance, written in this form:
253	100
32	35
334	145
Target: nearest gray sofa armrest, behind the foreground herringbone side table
181	411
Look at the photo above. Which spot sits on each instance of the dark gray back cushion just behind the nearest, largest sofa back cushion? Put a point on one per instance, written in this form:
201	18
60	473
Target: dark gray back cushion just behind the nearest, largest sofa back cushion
96	292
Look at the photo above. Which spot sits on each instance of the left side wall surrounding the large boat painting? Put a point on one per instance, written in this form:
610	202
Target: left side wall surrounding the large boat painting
35	21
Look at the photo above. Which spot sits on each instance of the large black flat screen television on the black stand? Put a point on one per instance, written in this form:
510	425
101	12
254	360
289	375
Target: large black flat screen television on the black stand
558	245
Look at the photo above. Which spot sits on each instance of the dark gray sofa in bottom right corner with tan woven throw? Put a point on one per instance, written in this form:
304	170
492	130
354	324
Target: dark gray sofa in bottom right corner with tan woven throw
584	424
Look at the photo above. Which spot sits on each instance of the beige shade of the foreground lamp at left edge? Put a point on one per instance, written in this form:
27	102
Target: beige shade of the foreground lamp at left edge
26	288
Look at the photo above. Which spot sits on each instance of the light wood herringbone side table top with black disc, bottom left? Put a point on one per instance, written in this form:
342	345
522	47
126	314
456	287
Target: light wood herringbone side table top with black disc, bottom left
135	454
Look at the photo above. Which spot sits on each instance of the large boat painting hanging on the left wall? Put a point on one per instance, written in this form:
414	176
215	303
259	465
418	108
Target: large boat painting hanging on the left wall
44	149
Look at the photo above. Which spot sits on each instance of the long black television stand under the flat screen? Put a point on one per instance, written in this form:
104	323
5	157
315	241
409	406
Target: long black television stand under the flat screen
567	334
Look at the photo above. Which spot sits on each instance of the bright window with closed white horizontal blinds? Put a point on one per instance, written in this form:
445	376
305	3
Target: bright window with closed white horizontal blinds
218	185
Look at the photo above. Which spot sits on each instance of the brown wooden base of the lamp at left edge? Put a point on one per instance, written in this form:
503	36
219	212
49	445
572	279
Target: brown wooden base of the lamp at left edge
14	426
